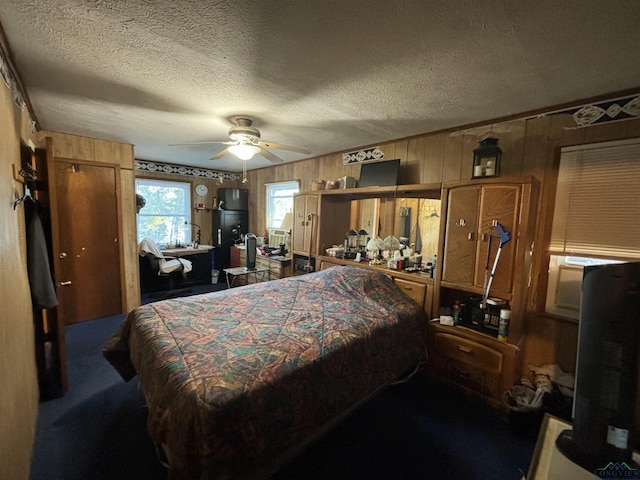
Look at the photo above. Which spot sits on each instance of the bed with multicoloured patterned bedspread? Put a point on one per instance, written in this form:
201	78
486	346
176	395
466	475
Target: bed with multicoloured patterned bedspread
239	380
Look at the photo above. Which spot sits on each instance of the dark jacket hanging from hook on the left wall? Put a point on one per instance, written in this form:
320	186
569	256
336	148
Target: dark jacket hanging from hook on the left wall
43	293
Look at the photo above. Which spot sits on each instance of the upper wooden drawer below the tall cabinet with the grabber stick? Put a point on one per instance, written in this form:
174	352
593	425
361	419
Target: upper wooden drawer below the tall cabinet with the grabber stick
468	352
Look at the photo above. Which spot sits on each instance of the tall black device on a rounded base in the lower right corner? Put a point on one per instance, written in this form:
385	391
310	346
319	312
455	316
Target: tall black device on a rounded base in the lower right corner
606	368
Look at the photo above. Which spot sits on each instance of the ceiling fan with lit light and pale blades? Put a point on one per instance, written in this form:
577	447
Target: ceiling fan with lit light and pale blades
245	142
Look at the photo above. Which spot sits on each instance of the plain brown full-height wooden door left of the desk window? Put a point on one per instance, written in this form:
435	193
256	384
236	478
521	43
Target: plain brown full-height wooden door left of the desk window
86	239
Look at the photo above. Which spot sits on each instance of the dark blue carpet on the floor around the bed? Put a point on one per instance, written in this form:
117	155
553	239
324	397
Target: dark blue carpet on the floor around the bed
415	430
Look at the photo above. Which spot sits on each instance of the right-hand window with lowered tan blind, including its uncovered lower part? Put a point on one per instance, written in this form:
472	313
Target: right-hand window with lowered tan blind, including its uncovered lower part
596	218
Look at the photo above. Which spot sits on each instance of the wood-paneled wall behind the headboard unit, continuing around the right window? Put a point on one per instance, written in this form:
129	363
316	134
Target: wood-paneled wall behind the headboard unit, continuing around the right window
530	147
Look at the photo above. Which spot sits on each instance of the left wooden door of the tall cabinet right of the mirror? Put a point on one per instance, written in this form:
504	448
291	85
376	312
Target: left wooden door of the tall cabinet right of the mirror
461	235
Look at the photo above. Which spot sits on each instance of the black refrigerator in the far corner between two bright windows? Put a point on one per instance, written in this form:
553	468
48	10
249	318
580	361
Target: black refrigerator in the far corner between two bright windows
229	227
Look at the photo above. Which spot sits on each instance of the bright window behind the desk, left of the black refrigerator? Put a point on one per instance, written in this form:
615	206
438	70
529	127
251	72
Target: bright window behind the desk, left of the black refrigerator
167	208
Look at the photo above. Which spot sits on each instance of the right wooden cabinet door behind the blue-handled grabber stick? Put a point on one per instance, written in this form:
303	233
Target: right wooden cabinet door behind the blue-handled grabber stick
498	203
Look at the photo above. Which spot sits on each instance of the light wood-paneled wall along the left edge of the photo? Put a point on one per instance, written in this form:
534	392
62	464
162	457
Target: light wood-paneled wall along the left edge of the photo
19	391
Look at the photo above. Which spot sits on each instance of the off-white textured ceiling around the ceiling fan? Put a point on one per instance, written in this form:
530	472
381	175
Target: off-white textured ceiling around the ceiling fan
327	75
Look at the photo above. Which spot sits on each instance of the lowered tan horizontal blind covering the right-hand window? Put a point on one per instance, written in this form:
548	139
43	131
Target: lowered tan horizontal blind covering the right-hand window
597	211
